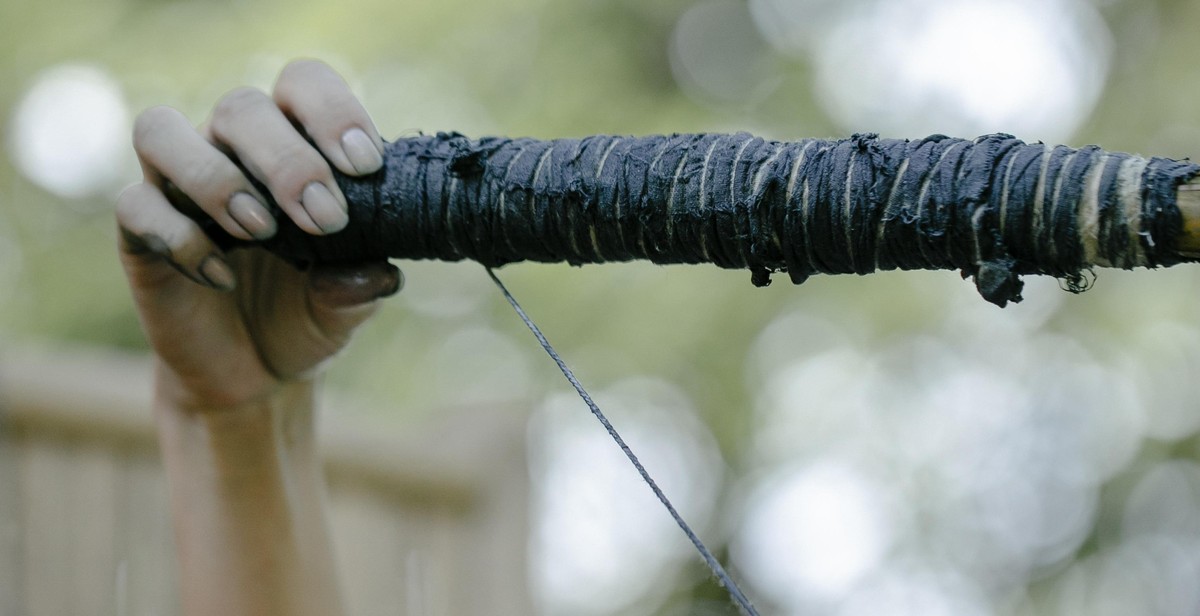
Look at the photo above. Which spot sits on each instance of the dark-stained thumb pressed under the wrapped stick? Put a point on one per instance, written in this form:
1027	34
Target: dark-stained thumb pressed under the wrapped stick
343	297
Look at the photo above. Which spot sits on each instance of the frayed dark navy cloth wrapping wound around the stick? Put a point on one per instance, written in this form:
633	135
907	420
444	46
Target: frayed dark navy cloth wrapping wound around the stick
994	208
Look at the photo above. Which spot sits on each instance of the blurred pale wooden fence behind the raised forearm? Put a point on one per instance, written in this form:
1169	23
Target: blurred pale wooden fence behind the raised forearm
430	524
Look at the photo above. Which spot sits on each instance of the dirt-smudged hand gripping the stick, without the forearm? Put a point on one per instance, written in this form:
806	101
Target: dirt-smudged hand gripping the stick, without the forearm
237	328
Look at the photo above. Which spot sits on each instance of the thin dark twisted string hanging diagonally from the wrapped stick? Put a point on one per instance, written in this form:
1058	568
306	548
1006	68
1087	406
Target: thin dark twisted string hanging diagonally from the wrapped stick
736	594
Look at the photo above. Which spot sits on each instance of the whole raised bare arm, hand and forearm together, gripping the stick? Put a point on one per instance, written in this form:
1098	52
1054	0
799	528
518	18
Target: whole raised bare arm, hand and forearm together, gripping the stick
241	337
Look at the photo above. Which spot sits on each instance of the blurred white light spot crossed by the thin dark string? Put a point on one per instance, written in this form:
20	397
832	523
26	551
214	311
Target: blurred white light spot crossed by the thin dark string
603	545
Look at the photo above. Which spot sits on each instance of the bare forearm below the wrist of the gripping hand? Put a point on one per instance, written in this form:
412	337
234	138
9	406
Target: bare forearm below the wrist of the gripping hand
248	498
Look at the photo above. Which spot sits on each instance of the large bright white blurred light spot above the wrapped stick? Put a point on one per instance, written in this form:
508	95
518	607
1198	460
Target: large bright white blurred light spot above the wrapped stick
1031	68
